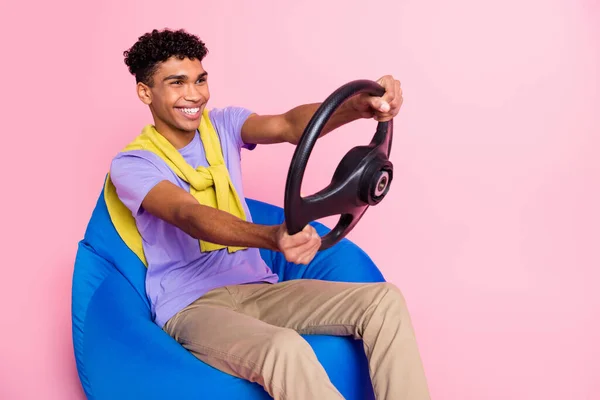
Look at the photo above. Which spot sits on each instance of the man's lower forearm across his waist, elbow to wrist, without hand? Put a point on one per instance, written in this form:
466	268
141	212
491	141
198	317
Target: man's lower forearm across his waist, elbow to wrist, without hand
220	227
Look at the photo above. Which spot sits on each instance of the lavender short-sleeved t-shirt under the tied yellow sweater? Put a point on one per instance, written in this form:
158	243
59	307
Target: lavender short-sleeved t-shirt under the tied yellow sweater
178	273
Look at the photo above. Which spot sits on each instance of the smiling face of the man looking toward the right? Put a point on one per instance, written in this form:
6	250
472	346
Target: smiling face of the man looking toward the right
178	95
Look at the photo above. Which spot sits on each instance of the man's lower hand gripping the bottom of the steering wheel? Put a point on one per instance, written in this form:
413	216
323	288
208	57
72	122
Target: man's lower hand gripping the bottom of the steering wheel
301	247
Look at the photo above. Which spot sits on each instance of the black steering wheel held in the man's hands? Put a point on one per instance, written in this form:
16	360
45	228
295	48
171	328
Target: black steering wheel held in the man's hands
361	179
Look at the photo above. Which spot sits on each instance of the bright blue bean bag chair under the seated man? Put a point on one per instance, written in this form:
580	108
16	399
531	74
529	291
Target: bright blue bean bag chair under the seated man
122	354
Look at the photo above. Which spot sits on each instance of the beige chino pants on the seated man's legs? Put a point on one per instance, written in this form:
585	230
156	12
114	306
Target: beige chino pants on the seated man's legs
253	332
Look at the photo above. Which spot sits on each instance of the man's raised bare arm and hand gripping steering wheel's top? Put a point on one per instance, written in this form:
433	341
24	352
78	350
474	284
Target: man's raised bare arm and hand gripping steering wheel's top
288	127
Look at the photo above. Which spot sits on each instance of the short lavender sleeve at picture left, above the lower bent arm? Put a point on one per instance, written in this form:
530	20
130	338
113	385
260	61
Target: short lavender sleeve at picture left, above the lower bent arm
134	174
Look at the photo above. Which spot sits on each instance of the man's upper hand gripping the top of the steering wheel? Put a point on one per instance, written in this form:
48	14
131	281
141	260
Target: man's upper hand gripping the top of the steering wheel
382	108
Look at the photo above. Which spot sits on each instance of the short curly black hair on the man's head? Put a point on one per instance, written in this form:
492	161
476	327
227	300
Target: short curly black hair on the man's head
155	47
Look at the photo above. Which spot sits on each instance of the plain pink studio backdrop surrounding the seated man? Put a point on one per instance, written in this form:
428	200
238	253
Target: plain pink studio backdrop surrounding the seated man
491	228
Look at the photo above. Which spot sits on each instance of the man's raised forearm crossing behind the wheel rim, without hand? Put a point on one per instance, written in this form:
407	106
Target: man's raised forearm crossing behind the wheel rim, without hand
299	117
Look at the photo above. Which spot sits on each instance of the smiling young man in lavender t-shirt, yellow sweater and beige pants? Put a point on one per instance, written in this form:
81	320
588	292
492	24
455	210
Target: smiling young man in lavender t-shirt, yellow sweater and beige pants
208	286
